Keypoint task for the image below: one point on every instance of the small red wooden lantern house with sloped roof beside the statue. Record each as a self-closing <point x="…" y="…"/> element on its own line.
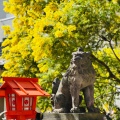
<point x="21" y="95"/>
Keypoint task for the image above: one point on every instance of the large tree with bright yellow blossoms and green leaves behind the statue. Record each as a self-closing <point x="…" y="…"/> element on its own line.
<point x="46" y="32"/>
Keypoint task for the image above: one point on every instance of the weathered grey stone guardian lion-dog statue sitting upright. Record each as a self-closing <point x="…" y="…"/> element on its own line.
<point x="80" y="76"/>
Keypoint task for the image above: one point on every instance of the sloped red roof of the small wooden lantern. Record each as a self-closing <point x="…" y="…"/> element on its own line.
<point x="23" y="86"/>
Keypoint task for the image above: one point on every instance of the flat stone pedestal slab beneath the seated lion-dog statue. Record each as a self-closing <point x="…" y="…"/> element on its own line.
<point x="73" y="116"/>
